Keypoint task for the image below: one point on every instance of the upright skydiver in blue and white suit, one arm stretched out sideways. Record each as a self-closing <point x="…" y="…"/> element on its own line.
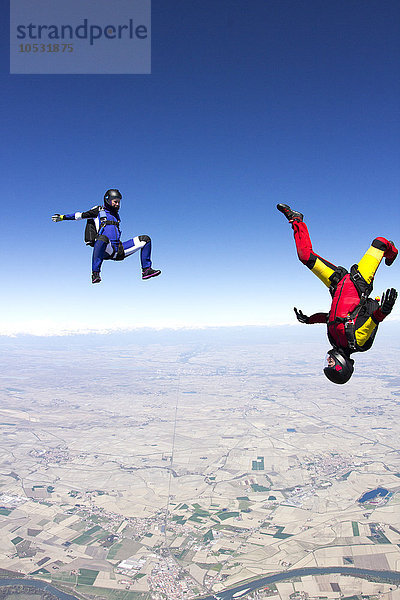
<point x="103" y="233"/>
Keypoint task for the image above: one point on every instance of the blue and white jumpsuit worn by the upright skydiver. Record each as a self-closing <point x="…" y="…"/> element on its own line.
<point x="108" y="245"/>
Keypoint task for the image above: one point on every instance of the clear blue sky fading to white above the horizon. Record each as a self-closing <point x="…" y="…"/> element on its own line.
<point x="250" y="103"/>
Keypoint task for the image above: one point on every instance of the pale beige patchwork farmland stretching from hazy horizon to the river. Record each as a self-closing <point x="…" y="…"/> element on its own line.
<point x="195" y="468"/>
